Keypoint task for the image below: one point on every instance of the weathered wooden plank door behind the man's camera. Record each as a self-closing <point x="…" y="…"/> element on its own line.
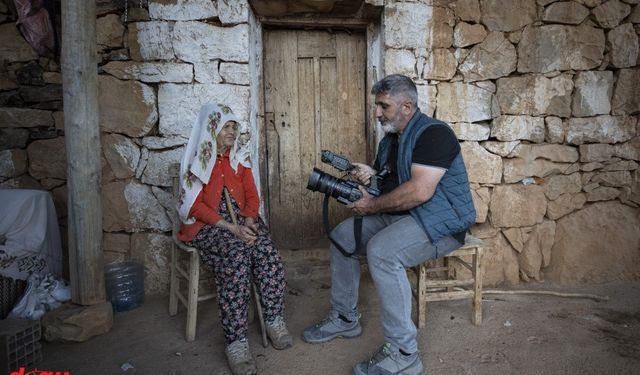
<point x="314" y="100"/>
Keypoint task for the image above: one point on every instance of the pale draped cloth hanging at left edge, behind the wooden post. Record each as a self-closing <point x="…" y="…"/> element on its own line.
<point x="31" y="236"/>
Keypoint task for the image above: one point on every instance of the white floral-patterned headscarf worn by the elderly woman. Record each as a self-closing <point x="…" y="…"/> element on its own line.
<point x="199" y="157"/>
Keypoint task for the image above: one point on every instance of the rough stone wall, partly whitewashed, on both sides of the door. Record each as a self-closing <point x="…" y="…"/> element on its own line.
<point x="544" y="95"/>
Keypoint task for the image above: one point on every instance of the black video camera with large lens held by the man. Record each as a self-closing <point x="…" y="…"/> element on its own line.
<point x="345" y="191"/>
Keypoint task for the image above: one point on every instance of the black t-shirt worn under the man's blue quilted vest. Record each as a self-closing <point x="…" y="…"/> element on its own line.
<point x="437" y="146"/>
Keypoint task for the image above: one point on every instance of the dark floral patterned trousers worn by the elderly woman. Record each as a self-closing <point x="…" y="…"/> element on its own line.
<point x="234" y="263"/>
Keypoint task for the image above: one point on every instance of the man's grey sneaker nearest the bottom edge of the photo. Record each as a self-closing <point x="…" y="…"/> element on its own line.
<point x="389" y="361"/>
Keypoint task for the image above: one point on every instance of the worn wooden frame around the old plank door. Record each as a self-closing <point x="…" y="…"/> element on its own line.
<point x="374" y="71"/>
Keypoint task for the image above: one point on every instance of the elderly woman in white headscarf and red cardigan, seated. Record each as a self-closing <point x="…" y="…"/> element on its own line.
<point x="219" y="210"/>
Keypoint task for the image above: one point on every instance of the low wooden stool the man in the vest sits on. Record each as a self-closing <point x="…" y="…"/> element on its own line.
<point x="428" y="290"/>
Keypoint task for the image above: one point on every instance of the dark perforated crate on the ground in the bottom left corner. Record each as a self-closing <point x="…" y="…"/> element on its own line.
<point x="19" y="344"/>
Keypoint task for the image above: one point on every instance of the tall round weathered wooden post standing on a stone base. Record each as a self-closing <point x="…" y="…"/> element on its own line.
<point x="82" y="141"/>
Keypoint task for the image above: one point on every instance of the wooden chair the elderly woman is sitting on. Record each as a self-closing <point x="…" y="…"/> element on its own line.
<point x="189" y="271"/>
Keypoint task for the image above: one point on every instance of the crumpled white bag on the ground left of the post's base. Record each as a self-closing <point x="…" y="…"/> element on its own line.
<point x="43" y="293"/>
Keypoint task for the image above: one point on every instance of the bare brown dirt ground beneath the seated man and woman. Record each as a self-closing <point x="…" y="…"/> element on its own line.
<point x="520" y="334"/>
